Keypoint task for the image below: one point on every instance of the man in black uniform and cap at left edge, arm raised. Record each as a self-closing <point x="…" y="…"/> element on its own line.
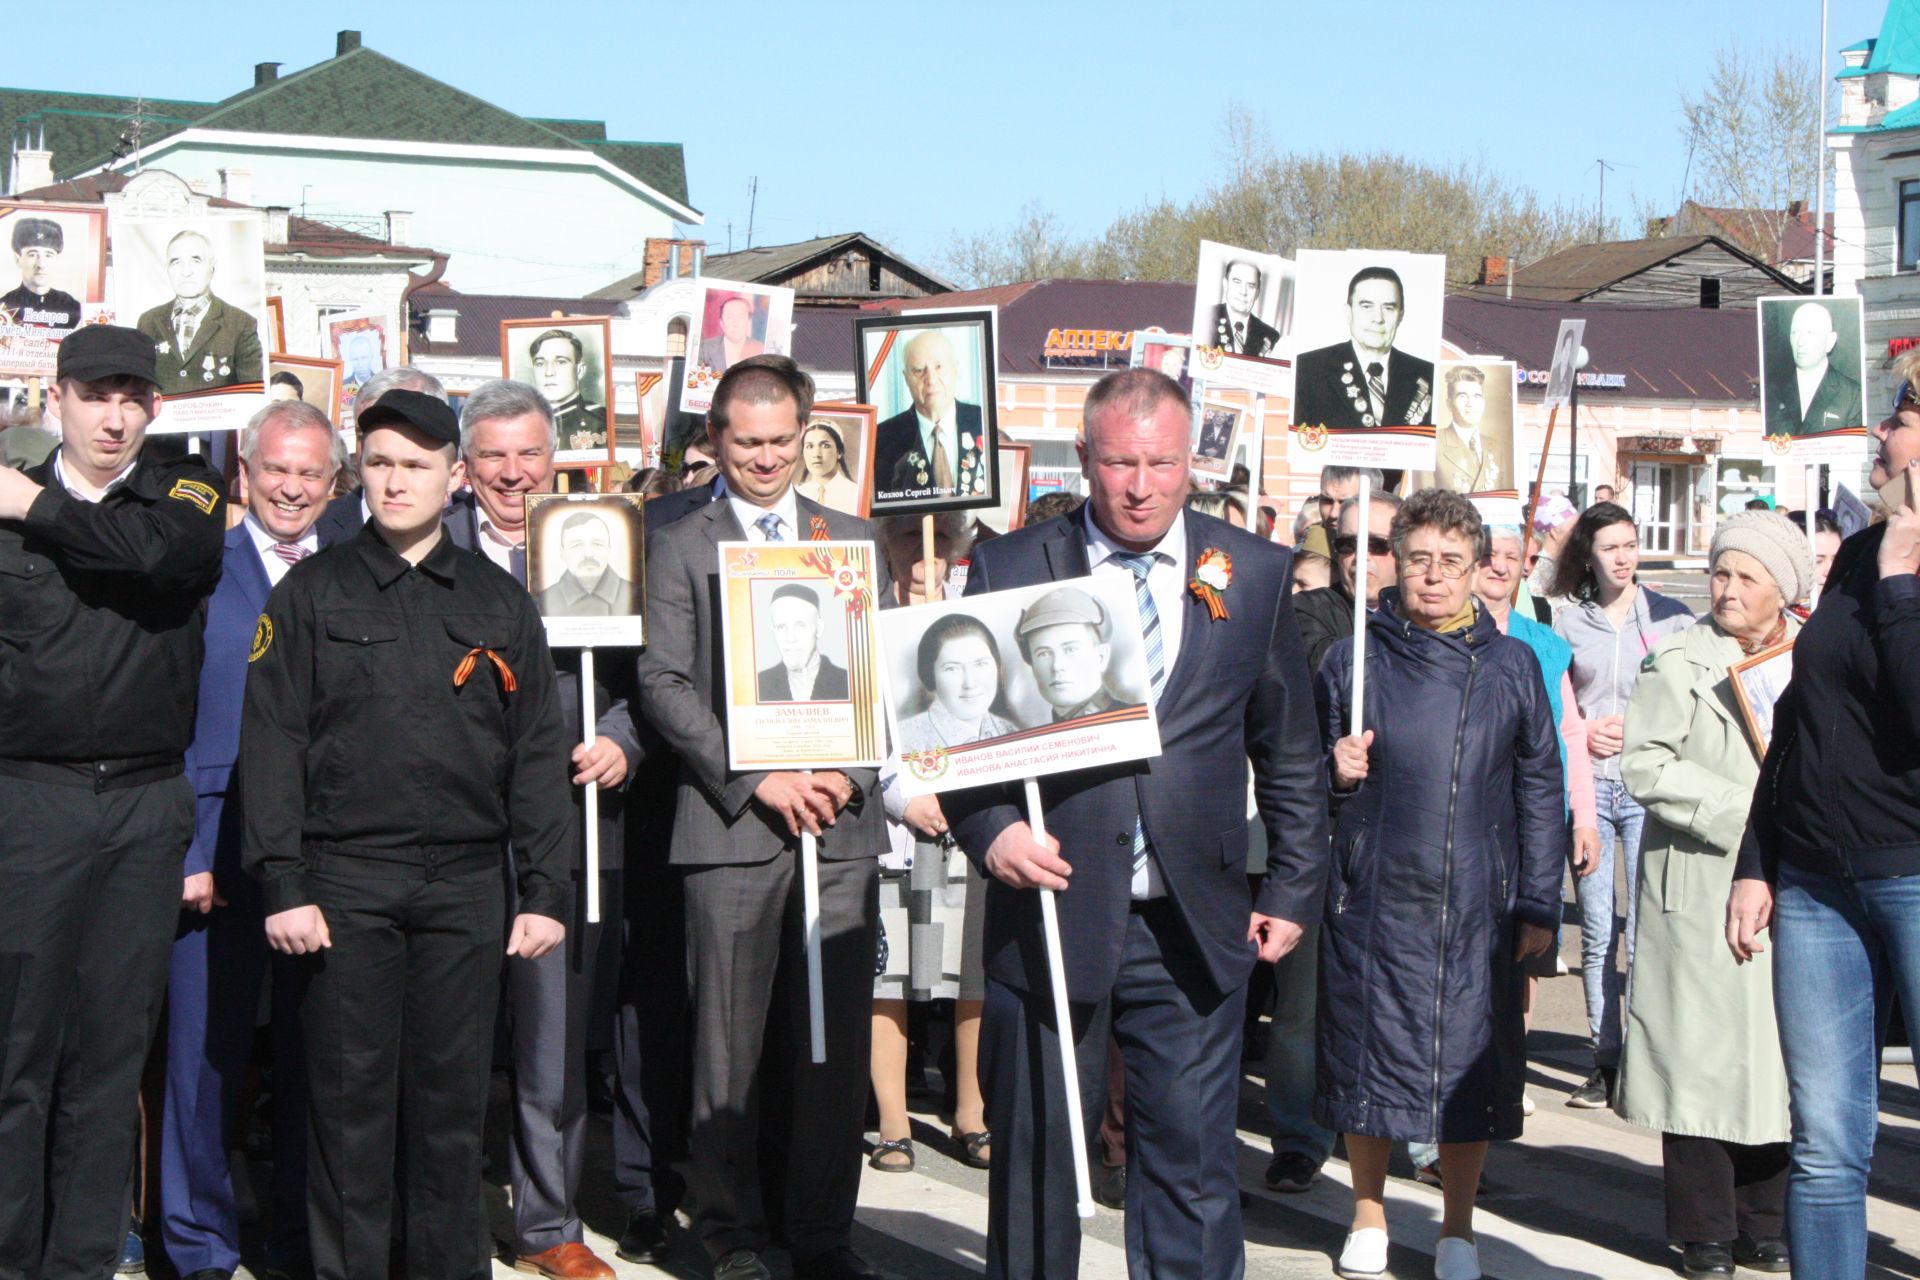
<point x="107" y="563"/>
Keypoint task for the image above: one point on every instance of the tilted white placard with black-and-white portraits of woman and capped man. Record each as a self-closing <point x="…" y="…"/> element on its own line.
<point x="1019" y="684"/>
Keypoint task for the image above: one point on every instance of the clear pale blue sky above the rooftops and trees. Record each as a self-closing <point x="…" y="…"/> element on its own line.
<point x="924" y="118"/>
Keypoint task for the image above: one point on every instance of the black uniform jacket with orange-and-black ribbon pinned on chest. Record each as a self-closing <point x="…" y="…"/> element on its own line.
<point x="368" y="732"/>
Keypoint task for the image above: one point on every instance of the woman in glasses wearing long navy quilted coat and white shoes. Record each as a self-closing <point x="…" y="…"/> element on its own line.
<point x="1451" y="845"/>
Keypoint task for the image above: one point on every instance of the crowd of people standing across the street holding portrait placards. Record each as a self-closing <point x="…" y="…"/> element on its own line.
<point x="304" y="736"/>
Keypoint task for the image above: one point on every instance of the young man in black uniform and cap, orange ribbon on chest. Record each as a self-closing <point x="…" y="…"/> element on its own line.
<point x="400" y="730"/>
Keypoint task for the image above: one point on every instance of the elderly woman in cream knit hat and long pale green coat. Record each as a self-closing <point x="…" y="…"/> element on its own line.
<point x="1702" y="1056"/>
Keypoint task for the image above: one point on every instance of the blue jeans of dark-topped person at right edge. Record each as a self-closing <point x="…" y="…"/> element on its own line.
<point x="1842" y="949"/>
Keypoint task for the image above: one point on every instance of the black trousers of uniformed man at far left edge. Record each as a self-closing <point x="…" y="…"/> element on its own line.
<point x="89" y="897"/>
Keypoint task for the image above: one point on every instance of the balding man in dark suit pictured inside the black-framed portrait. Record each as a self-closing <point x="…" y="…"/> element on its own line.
<point x="932" y="450"/>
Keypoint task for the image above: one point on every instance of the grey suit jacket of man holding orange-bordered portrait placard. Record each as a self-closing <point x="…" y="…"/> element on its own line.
<point x="683" y="696"/>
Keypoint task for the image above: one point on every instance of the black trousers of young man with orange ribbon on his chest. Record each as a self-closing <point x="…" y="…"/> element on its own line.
<point x="400" y="1024"/>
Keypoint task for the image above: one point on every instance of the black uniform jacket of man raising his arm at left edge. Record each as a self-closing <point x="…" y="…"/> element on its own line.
<point x="101" y="623"/>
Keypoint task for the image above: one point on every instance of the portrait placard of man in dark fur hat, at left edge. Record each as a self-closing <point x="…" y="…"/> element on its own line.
<point x="55" y="281"/>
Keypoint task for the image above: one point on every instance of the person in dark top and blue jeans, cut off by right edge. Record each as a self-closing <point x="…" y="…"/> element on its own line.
<point x="1831" y="861"/>
